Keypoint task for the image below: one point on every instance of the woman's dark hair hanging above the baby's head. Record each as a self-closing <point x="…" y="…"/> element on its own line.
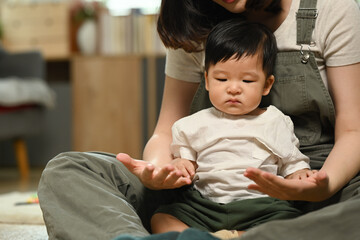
<point x="186" y="23"/>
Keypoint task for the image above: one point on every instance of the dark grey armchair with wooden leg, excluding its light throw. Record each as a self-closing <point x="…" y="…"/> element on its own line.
<point x="25" y="119"/>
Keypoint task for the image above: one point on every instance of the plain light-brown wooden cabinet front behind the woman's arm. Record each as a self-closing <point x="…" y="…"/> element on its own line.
<point x="108" y="104"/>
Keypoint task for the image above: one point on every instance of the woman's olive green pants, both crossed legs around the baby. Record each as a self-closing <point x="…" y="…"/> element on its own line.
<point x="93" y="196"/>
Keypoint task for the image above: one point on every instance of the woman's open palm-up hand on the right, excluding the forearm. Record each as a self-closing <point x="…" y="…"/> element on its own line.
<point x="314" y="188"/>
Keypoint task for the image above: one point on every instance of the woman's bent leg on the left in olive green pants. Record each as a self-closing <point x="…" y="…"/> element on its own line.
<point x="90" y="196"/>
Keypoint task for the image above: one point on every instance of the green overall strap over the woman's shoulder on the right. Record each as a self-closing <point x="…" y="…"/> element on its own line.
<point x="305" y="18"/>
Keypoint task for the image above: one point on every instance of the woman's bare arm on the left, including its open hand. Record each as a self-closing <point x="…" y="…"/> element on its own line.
<point x="156" y="172"/>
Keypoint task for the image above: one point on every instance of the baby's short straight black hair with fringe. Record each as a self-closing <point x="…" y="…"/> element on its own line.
<point x="238" y="38"/>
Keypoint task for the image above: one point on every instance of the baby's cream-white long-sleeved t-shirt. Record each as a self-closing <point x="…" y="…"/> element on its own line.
<point x="225" y="145"/>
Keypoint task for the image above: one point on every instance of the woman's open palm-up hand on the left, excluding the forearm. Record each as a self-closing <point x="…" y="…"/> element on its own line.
<point x="153" y="177"/>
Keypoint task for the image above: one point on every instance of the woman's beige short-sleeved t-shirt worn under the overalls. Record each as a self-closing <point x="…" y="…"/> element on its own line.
<point x="336" y="36"/>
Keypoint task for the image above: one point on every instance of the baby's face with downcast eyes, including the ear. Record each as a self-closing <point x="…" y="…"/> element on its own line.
<point x="237" y="86"/>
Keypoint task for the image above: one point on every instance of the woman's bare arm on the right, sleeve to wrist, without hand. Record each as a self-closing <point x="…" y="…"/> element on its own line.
<point x="343" y="163"/>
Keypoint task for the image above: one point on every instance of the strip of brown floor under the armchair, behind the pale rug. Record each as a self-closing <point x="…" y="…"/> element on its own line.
<point x="10" y="180"/>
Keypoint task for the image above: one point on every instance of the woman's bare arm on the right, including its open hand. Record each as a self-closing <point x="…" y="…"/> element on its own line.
<point x="343" y="162"/>
